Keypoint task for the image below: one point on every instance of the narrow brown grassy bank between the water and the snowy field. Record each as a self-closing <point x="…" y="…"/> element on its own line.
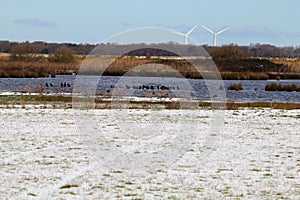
<point x="60" y="101"/>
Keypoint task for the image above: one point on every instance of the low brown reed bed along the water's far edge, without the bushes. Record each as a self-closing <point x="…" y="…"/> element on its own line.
<point x="128" y="65"/>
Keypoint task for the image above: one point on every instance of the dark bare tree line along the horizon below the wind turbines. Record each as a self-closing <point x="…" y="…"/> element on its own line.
<point x="252" y="50"/>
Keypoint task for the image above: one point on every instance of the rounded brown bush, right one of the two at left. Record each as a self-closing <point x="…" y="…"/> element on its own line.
<point x="63" y="55"/>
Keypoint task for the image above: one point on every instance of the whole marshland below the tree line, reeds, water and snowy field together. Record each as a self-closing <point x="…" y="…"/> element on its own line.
<point x="252" y="148"/>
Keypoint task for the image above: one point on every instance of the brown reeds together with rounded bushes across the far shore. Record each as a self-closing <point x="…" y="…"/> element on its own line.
<point x="25" y="60"/>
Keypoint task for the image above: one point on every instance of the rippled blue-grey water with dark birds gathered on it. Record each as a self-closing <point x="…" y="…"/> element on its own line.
<point x="253" y="89"/>
